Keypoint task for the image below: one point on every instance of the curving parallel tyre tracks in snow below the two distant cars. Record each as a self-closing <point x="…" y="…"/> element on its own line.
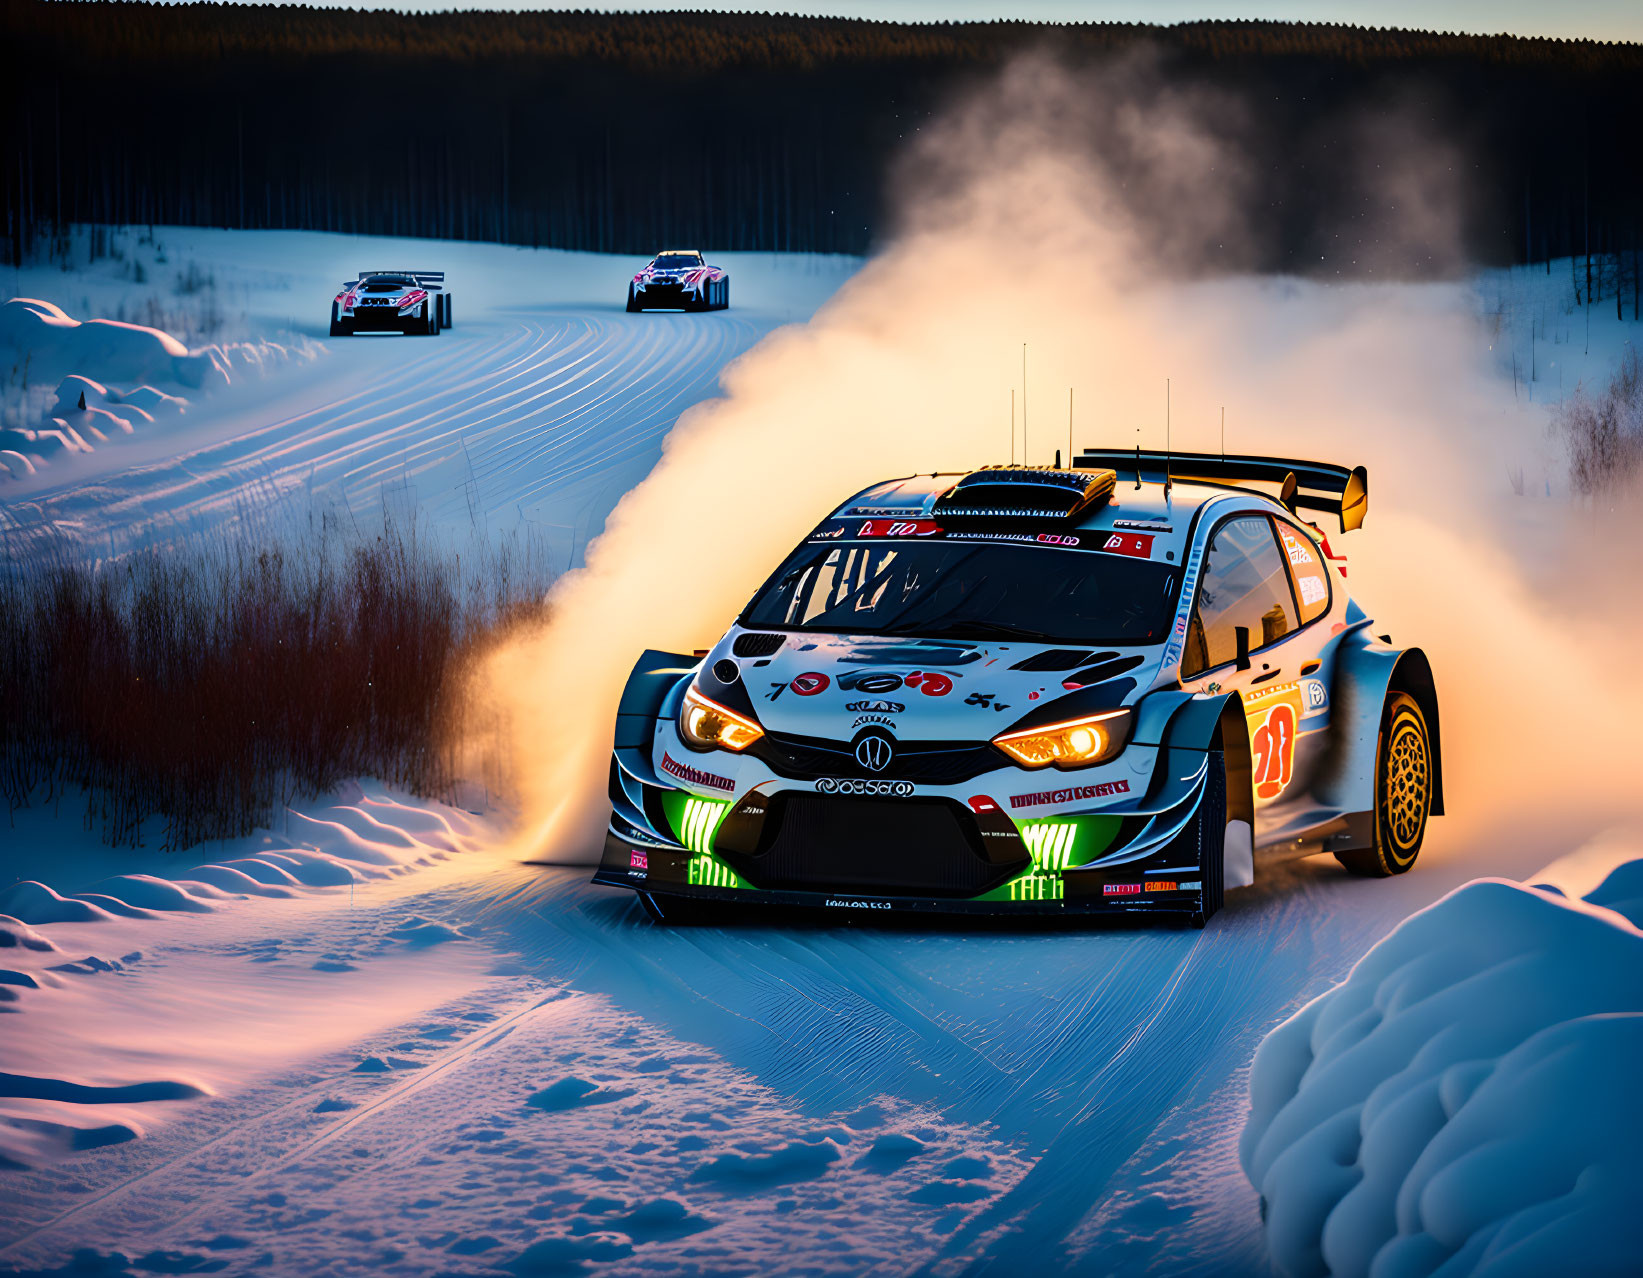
<point x="494" y="423"/>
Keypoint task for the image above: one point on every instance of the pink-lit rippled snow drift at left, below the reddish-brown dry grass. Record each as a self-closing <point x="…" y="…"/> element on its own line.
<point x="119" y="1001"/>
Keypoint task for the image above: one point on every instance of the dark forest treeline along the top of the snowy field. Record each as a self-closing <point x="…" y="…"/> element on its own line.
<point x="620" y="132"/>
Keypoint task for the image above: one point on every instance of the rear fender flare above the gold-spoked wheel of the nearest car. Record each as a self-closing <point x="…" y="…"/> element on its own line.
<point x="1366" y="671"/>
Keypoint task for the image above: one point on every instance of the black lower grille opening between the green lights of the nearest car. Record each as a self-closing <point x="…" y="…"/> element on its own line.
<point x="873" y="845"/>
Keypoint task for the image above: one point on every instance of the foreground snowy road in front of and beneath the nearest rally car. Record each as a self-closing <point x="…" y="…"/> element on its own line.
<point x="564" y="1075"/>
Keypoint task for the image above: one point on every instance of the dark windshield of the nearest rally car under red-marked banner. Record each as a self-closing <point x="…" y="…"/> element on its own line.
<point x="964" y="591"/>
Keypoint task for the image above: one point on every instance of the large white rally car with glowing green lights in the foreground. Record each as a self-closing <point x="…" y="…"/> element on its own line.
<point x="1034" y="691"/>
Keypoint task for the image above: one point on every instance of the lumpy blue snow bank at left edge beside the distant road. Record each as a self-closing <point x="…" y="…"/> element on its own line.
<point x="44" y="346"/>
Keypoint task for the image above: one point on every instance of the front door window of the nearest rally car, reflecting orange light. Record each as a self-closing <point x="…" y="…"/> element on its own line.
<point x="1246" y="584"/>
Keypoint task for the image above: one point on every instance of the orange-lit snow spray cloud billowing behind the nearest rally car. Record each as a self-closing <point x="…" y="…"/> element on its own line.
<point x="1110" y="264"/>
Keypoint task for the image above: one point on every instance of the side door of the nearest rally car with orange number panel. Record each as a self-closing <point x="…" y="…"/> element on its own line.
<point x="1248" y="637"/>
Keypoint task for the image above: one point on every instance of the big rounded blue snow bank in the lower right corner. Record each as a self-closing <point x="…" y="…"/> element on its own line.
<point x="1466" y="1101"/>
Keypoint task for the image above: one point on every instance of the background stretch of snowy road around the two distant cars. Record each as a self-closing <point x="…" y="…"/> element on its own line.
<point x="536" y="411"/>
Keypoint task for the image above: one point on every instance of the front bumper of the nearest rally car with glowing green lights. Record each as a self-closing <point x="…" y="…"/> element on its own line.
<point x="937" y="855"/>
